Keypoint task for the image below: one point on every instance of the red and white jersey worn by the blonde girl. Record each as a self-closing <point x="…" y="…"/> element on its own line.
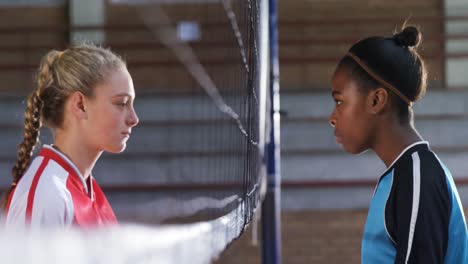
<point x="52" y="193"/>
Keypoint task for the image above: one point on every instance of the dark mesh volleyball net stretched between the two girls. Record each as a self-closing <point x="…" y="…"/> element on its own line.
<point x="201" y="136"/>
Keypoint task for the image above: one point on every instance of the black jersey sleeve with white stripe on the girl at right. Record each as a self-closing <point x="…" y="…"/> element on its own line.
<point x="417" y="213"/>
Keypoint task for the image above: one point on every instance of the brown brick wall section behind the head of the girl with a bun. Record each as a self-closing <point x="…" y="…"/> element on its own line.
<point x="299" y="71"/>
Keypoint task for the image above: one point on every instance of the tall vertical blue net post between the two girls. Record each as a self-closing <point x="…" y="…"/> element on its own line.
<point x="271" y="208"/>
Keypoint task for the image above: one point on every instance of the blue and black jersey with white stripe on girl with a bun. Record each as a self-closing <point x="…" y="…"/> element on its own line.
<point x="415" y="215"/>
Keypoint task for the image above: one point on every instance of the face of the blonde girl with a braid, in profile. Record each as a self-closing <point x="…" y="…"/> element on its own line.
<point x="110" y="113"/>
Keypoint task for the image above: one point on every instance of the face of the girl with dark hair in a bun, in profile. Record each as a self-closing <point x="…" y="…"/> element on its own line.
<point x="351" y="117"/>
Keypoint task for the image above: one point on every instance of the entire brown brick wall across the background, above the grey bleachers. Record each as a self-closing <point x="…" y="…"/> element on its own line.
<point x="306" y="62"/>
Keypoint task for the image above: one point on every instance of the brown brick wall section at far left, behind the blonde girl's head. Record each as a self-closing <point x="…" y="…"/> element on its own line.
<point x="19" y="80"/>
